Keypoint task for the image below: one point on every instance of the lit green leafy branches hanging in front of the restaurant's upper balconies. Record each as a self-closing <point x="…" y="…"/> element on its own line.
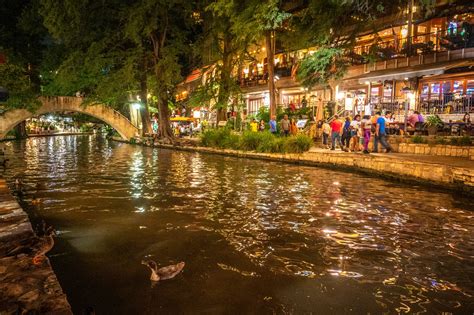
<point x="320" y="25"/>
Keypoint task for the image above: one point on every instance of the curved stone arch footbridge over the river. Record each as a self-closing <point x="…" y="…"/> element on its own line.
<point x="108" y="115"/>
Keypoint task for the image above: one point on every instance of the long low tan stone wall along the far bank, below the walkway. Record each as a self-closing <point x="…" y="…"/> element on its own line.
<point x="446" y="173"/>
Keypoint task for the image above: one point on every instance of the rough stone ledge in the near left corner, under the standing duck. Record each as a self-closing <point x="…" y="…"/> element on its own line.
<point x="25" y="288"/>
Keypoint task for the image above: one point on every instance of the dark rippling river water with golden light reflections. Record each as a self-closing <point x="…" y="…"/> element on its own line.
<point x="257" y="237"/>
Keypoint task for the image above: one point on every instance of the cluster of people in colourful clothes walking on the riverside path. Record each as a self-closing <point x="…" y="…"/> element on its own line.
<point x="354" y="135"/>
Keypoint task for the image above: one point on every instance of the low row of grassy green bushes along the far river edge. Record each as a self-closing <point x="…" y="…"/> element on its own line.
<point x="255" y="141"/>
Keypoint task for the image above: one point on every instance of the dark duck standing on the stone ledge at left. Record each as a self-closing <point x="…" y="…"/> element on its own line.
<point x="37" y="246"/>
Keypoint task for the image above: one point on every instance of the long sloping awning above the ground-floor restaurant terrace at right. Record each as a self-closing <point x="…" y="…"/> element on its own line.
<point x="412" y="72"/>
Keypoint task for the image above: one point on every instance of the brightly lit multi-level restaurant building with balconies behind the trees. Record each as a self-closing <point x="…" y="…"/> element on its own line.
<point x="421" y="63"/>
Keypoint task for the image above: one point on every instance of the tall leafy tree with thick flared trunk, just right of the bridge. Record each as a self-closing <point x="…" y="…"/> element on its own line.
<point x="162" y="29"/>
